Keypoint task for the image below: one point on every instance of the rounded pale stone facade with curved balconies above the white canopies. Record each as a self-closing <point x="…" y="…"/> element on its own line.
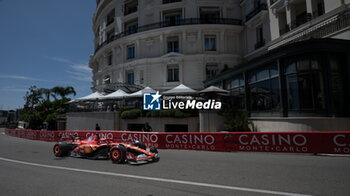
<point x="164" y="43"/>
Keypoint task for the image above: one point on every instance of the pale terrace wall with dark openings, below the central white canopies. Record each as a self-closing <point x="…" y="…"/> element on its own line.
<point x="158" y="124"/>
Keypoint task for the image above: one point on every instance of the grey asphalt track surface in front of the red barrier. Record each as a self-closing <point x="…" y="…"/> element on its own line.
<point x="28" y="167"/>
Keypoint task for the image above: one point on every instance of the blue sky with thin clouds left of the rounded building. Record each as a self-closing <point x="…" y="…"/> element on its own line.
<point x="45" y="43"/>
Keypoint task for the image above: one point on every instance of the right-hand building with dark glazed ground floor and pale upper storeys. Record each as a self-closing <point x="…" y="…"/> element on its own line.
<point x="296" y="77"/>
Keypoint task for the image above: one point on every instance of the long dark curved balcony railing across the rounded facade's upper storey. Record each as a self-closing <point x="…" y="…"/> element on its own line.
<point x="186" y="21"/>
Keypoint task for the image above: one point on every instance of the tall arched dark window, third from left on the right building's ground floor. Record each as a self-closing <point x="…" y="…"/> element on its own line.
<point x="305" y="85"/>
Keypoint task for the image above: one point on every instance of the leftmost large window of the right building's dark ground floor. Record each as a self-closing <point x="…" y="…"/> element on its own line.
<point x="236" y="86"/>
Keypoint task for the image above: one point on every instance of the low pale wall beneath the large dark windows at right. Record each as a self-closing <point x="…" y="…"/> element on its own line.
<point x="301" y="124"/>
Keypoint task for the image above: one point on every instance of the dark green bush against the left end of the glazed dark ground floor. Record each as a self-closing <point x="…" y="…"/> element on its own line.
<point x="236" y="120"/>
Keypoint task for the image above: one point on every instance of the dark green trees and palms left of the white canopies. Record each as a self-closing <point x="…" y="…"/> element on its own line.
<point x="39" y="108"/>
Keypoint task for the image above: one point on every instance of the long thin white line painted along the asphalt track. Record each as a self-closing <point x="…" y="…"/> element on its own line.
<point x="156" y="179"/>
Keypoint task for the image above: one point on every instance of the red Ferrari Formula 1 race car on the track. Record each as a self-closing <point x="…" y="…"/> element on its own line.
<point x="95" y="147"/>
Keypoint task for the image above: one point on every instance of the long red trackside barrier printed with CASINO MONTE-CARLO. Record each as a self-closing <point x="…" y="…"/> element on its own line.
<point x="286" y="142"/>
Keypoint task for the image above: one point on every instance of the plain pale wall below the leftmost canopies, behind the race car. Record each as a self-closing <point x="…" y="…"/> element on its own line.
<point x="88" y="120"/>
